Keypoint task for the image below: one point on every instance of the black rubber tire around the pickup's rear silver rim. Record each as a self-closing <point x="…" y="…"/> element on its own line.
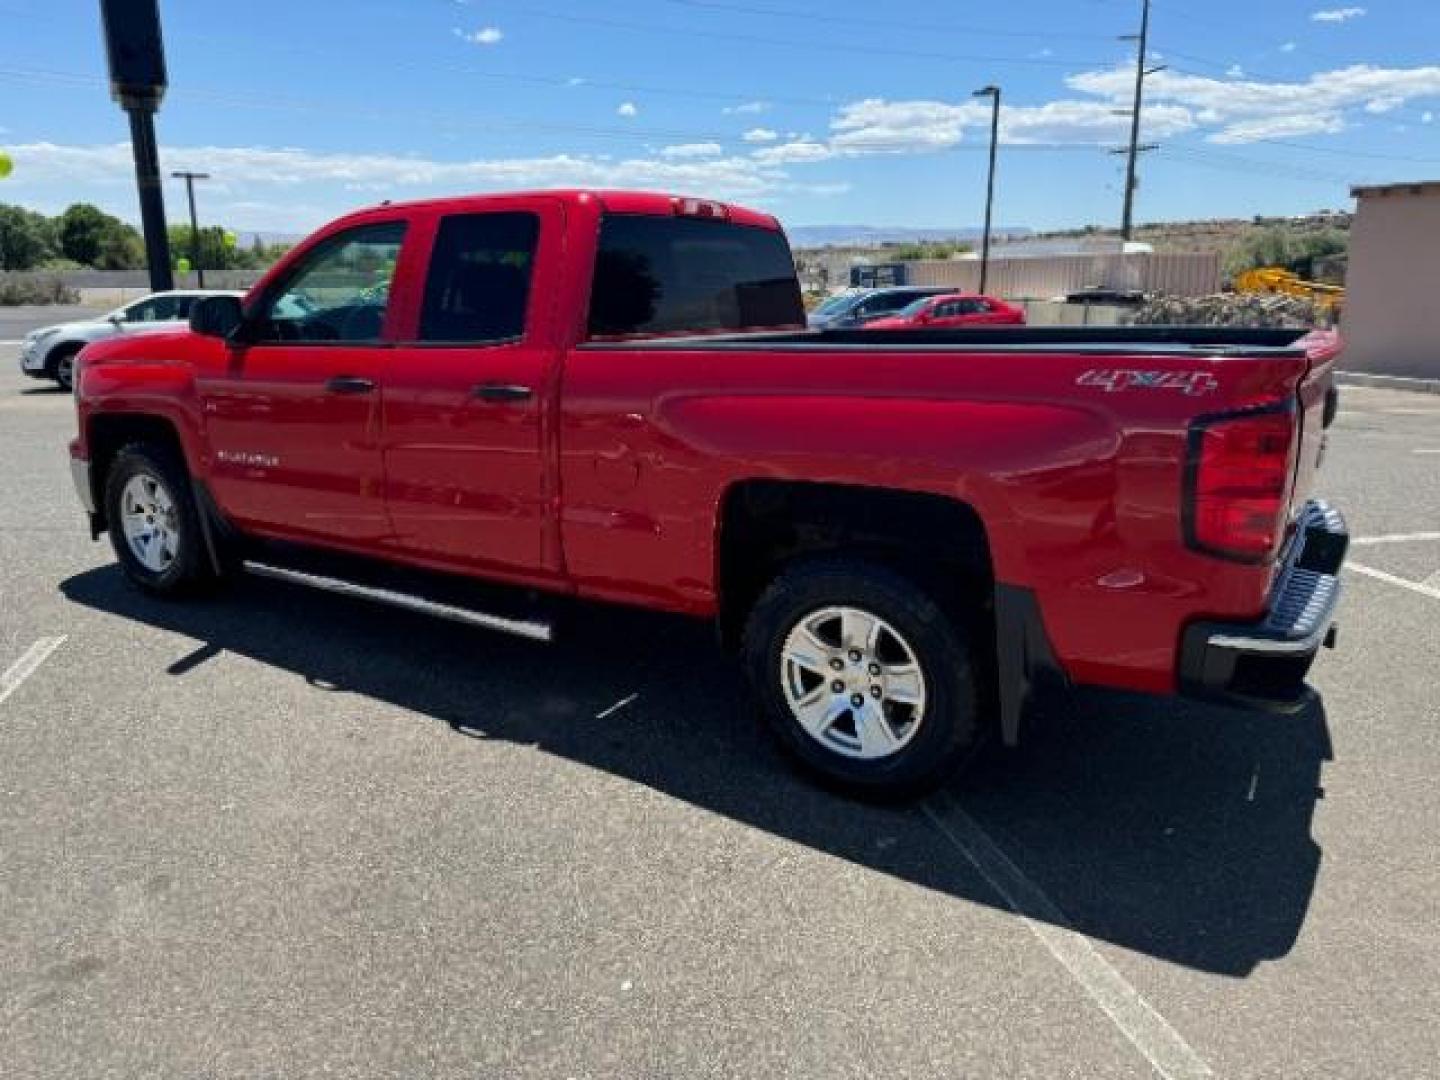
<point x="950" y="729"/>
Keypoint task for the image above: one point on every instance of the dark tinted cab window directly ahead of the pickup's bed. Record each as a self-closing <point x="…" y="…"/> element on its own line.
<point x="685" y="276"/>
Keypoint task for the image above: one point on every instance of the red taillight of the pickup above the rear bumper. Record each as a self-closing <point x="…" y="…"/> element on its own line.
<point x="1241" y="483"/>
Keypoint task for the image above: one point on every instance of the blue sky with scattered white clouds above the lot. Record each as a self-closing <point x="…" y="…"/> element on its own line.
<point x="827" y="114"/>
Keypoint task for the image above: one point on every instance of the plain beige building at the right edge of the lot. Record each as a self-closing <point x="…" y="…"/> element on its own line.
<point x="1392" y="322"/>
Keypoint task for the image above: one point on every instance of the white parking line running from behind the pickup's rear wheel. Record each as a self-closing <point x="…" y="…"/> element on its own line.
<point x="1137" y="1019"/>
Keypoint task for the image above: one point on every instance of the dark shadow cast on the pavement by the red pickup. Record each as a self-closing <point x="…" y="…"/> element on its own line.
<point x="1174" y="830"/>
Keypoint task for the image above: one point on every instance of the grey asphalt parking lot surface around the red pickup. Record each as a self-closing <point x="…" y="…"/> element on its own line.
<point x="286" y="834"/>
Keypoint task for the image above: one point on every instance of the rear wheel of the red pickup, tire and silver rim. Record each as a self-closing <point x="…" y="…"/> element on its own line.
<point x="863" y="679"/>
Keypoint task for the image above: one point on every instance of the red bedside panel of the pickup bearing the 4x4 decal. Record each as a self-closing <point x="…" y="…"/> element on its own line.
<point x="1079" y="487"/>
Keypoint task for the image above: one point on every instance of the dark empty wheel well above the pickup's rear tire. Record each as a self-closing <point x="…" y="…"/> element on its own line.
<point x="937" y="541"/>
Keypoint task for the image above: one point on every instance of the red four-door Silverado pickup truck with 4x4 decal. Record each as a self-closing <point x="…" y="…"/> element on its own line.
<point x="911" y="536"/>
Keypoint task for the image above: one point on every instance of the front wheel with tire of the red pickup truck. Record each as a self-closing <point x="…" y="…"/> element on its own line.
<point x="153" y="522"/>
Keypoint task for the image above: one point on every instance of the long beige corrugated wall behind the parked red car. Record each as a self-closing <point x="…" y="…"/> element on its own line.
<point x="1056" y="276"/>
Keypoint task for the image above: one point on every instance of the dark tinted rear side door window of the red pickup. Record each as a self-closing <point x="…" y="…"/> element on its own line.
<point x="479" y="284"/>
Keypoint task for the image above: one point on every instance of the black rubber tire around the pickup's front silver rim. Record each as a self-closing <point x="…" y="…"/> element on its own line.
<point x="189" y="570"/>
